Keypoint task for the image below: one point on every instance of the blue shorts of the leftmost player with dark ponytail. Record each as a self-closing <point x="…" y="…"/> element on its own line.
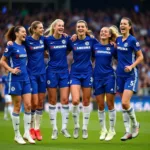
<point x="19" y="87"/>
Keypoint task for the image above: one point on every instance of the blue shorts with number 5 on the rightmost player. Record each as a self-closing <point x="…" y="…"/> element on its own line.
<point x="128" y="83"/>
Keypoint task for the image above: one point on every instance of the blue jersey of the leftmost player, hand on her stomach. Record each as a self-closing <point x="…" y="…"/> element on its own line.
<point x="17" y="57"/>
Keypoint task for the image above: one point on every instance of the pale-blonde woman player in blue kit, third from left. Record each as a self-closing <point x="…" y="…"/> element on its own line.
<point x="57" y="75"/>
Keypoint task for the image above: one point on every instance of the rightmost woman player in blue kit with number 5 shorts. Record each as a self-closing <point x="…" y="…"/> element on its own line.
<point x="129" y="56"/>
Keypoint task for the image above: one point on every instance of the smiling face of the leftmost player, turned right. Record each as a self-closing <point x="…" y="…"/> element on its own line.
<point x="21" y="34"/>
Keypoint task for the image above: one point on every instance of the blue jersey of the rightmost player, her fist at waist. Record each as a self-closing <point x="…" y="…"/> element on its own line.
<point x="126" y="55"/>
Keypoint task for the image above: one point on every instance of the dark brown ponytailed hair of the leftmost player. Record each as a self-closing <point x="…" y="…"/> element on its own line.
<point x="10" y="35"/>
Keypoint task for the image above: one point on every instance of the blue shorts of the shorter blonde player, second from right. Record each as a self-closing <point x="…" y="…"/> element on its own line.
<point x="107" y="85"/>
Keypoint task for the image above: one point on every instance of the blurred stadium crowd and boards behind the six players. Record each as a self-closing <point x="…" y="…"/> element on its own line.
<point x="96" y="13"/>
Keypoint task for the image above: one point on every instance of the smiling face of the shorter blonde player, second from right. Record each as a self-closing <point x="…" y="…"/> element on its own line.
<point x="105" y="33"/>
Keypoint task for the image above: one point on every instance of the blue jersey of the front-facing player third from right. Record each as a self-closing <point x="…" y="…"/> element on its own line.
<point x="82" y="53"/>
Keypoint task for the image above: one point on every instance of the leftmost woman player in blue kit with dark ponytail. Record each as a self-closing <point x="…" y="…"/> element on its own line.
<point x="14" y="60"/>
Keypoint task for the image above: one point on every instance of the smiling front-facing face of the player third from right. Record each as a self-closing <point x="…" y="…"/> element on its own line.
<point x="81" y="29"/>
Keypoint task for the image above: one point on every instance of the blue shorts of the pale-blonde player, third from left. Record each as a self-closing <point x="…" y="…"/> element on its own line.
<point x="55" y="80"/>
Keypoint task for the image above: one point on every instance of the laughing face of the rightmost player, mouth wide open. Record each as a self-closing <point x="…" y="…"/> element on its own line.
<point x="124" y="26"/>
